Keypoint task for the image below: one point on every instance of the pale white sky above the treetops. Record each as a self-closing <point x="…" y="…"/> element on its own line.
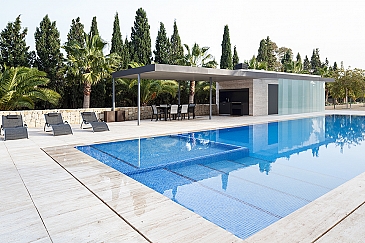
<point x="336" y="27"/>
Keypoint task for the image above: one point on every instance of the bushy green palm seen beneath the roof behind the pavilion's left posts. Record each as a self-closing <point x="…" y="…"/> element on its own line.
<point x="150" y="88"/>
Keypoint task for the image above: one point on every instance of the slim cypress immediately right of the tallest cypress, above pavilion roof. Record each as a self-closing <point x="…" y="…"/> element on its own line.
<point x="162" y="46"/>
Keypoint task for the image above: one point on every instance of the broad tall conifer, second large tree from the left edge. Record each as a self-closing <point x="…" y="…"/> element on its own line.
<point x="49" y="56"/>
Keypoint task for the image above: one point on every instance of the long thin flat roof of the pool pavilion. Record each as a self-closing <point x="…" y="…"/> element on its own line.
<point x="175" y="72"/>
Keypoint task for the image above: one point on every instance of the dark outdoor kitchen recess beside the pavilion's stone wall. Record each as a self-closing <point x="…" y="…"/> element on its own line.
<point x="233" y="102"/>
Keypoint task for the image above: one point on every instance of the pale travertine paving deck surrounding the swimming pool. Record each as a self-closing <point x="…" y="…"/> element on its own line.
<point x="78" y="199"/>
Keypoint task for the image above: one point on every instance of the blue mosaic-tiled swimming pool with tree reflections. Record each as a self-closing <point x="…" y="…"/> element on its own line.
<point x="244" y="178"/>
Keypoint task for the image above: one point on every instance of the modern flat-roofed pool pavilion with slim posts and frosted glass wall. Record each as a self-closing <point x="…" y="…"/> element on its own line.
<point x="242" y="91"/>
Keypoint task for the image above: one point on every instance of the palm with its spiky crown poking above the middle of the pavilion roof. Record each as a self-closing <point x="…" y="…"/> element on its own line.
<point x="197" y="57"/>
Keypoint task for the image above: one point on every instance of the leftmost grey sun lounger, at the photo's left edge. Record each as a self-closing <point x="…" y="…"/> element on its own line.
<point x="13" y="127"/>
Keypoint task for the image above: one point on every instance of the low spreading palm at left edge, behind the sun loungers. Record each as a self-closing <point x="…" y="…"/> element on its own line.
<point x="20" y="87"/>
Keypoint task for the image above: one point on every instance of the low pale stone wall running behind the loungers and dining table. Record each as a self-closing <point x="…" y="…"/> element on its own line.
<point x="35" y="118"/>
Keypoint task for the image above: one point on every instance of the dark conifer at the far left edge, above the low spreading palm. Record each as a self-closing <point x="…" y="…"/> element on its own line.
<point x="13" y="48"/>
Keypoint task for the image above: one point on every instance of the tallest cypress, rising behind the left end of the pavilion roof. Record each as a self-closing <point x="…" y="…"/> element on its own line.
<point x="140" y="39"/>
